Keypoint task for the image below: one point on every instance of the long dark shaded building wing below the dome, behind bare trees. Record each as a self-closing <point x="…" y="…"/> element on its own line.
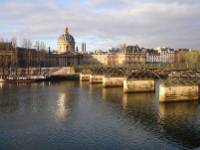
<point x="35" y="58"/>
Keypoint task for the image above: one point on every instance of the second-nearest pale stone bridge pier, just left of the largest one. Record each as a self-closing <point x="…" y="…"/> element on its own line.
<point x="138" y="85"/>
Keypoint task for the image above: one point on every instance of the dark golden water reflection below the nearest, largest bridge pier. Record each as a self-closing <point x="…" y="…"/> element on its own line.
<point x="179" y="121"/>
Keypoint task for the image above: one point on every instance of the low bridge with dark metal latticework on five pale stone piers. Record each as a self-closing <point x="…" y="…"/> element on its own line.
<point x="144" y="80"/>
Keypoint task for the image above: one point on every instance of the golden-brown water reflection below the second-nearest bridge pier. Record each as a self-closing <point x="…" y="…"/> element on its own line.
<point x="141" y="109"/>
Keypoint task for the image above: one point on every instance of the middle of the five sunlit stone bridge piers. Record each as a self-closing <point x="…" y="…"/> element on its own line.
<point x="113" y="81"/>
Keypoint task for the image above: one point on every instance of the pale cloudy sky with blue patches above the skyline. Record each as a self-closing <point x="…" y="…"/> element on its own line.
<point x="103" y="24"/>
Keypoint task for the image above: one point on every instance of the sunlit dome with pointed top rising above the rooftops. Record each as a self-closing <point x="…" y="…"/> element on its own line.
<point x="66" y="43"/>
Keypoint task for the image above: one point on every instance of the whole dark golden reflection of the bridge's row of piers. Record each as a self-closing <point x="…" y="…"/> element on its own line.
<point x="176" y="121"/>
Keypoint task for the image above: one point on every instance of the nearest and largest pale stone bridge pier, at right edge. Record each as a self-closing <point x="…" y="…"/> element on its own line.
<point x="174" y="93"/>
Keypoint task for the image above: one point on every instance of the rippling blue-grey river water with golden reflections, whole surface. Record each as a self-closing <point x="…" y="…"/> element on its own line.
<point x="79" y="116"/>
